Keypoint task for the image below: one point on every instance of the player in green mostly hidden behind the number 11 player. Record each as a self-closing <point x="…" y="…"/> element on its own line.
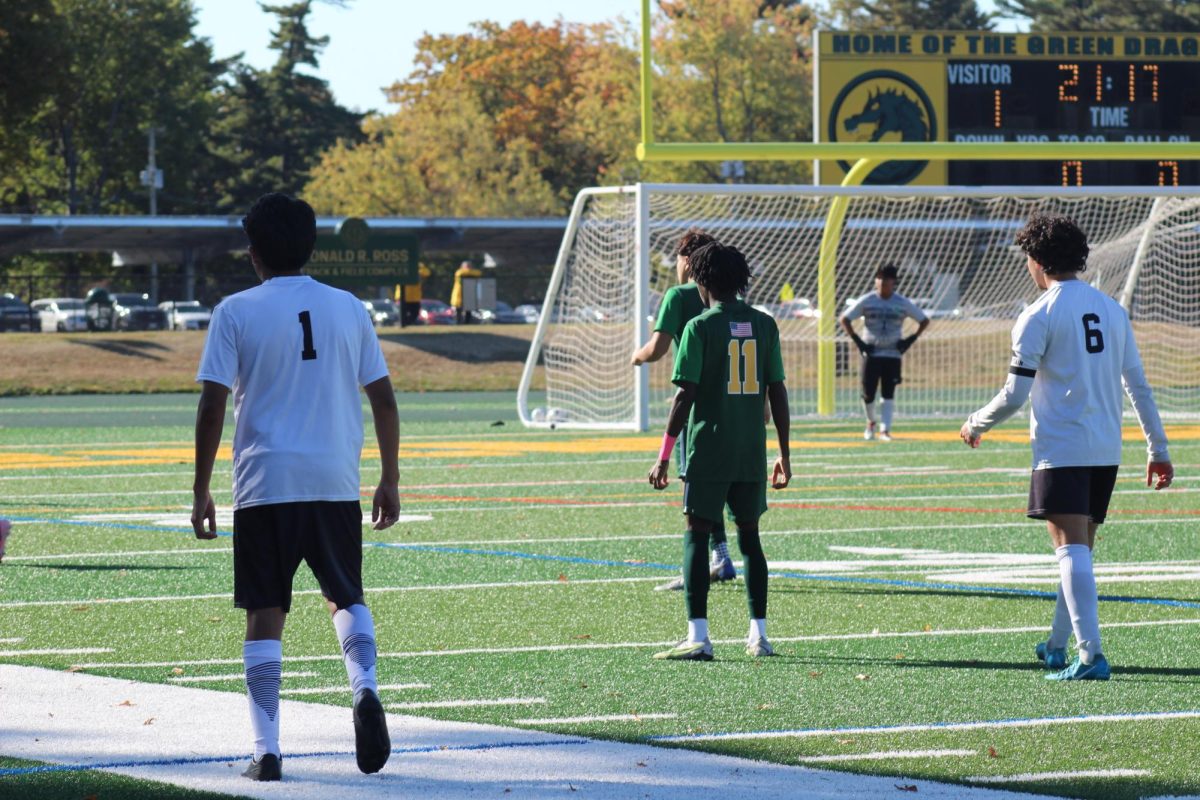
<point x="680" y="305"/>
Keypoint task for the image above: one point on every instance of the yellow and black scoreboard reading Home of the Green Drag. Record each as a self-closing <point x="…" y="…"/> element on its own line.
<point x="1010" y="88"/>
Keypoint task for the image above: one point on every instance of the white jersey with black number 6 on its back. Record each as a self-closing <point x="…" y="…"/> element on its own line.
<point x="1078" y="346"/>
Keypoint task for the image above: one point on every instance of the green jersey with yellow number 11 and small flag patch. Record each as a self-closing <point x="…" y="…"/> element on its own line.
<point x="731" y="353"/>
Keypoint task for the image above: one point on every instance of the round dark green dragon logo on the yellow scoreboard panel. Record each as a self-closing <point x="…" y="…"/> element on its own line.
<point x="884" y="106"/>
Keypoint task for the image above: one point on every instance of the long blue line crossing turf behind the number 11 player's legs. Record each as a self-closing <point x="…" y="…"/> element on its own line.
<point x="675" y="568"/>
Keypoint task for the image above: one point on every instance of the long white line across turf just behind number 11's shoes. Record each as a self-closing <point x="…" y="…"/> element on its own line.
<point x="623" y="646"/>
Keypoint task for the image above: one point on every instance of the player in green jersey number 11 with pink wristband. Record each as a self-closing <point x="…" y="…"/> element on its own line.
<point x="729" y="360"/>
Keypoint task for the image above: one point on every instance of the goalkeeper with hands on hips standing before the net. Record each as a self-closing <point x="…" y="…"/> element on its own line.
<point x="883" y="346"/>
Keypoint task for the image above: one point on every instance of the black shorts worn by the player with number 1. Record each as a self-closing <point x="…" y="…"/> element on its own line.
<point x="269" y="543"/>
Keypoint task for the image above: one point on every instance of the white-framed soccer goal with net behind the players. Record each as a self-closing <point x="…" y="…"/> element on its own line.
<point x="955" y="251"/>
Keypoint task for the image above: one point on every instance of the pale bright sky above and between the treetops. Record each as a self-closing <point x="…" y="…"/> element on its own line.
<point x="373" y="41"/>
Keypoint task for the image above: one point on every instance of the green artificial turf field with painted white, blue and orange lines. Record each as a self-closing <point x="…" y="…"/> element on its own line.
<point x="908" y="594"/>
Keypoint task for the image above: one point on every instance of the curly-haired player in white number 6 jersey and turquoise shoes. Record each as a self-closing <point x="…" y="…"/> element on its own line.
<point x="1073" y="350"/>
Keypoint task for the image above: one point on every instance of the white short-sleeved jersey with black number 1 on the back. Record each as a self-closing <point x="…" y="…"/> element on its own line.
<point x="295" y="352"/>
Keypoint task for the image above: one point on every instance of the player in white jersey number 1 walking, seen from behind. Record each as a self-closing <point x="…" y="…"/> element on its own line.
<point x="295" y="352"/>
